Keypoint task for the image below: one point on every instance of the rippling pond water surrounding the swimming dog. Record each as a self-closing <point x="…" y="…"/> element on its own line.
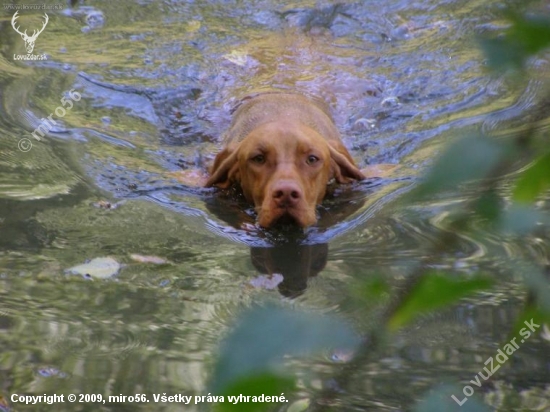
<point x="157" y="82"/>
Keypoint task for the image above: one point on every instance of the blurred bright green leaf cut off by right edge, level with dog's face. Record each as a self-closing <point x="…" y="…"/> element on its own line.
<point x="533" y="181"/>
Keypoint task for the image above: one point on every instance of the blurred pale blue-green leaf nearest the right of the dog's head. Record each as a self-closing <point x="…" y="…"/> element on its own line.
<point x="469" y="158"/>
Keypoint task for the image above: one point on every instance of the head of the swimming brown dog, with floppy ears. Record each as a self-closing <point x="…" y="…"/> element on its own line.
<point x="283" y="169"/>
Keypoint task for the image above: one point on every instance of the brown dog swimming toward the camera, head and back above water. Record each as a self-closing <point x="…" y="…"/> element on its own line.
<point x="283" y="149"/>
